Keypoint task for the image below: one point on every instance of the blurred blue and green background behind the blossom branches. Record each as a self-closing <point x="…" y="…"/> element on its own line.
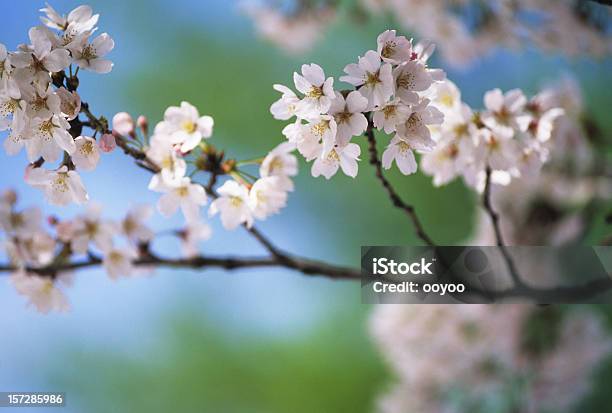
<point x="258" y="340"/>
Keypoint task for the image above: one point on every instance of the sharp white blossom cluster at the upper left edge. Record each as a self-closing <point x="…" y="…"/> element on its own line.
<point x="39" y="102"/>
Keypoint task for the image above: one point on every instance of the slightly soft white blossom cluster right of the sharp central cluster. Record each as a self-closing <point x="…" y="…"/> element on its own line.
<point x="511" y="136"/>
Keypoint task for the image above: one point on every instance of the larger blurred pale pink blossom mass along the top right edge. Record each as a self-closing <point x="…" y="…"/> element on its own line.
<point x="465" y="35"/>
